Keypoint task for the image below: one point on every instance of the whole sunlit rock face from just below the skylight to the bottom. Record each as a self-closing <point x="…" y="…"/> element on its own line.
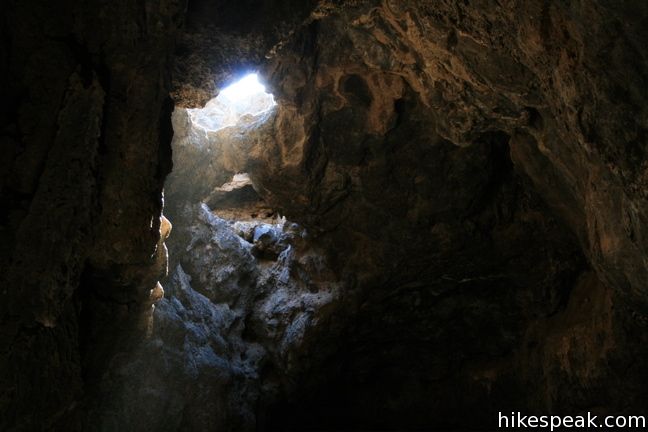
<point x="246" y="293"/>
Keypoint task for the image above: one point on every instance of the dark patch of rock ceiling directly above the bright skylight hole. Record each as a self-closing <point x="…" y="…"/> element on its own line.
<point x="223" y="39"/>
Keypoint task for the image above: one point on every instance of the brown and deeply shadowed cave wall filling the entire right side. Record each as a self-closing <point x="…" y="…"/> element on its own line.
<point x="476" y="172"/>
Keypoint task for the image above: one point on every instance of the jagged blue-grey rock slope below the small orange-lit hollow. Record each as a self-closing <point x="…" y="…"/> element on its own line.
<point x="230" y="316"/>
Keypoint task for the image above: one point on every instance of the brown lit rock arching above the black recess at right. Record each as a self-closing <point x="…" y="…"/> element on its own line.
<point x="472" y="72"/>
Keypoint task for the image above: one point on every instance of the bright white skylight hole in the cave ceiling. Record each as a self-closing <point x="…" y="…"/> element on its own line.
<point x="246" y="97"/>
